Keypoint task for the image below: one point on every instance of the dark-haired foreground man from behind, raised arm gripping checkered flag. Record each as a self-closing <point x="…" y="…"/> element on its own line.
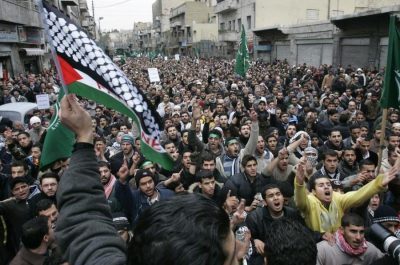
<point x="81" y="191"/>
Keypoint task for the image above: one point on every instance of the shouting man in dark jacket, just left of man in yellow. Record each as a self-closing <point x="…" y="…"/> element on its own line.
<point x="259" y="220"/>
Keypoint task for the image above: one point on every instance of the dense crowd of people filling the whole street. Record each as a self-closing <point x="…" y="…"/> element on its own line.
<point x="282" y="166"/>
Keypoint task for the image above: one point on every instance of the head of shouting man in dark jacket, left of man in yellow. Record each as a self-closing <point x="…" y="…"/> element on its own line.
<point x="274" y="199"/>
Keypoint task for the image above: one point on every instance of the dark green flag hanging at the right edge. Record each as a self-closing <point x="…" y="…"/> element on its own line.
<point x="391" y="88"/>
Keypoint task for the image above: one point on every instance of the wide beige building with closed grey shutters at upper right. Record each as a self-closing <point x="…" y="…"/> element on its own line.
<point x="354" y="35"/>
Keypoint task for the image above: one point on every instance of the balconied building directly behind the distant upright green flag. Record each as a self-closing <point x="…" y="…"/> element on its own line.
<point x="231" y="15"/>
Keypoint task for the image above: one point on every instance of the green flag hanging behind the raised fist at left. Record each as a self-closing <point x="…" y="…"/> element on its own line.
<point x="58" y="141"/>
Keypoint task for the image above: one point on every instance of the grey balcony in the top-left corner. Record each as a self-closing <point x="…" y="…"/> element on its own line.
<point x="19" y="12"/>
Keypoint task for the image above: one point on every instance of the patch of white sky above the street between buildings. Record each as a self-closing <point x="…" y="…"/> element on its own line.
<point x="121" y="14"/>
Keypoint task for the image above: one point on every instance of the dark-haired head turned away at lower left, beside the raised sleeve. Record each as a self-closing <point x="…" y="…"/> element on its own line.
<point x="37" y="233"/>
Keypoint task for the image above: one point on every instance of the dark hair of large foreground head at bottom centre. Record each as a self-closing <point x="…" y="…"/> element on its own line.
<point x="186" y="229"/>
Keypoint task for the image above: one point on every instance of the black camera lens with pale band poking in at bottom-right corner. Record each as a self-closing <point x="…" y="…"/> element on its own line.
<point x="387" y="241"/>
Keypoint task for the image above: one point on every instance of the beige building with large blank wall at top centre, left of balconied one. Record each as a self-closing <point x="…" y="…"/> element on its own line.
<point x="188" y="21"/>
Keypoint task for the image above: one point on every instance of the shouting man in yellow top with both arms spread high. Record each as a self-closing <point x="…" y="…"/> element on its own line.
<point x="323" y="208"/>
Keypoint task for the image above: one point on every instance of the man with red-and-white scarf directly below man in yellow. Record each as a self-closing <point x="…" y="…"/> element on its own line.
<point x="350" y="246"/>
